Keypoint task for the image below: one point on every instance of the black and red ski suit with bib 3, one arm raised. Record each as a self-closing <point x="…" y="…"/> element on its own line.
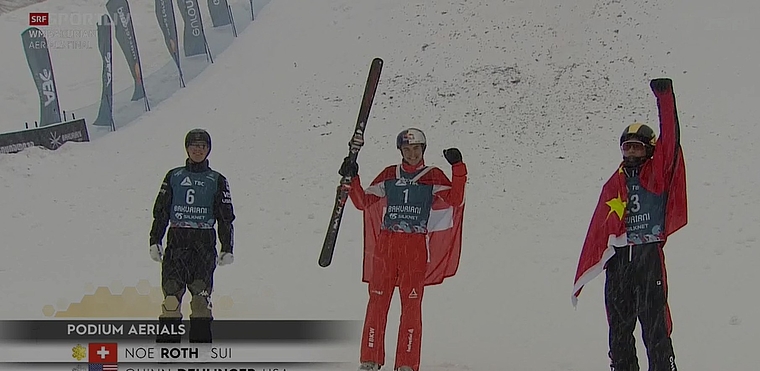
<point x="636" y="285"/>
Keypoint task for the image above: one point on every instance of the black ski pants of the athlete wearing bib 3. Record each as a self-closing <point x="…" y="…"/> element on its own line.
<point x="636" y="289"/>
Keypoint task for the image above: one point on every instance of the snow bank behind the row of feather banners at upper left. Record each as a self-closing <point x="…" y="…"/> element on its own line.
<point x="73" y="43"/>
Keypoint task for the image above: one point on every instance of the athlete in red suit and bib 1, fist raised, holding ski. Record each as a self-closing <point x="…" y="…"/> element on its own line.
<point x="402" y="251"/>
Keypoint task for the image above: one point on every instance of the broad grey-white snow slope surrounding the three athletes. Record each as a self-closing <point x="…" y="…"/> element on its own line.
<point x="534" y="93"/>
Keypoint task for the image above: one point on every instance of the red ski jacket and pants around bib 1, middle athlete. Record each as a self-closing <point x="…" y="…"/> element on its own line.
<point x="401" y="259"/>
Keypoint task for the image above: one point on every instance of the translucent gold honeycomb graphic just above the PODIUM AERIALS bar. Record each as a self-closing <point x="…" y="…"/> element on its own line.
<point x="142" y="300"/>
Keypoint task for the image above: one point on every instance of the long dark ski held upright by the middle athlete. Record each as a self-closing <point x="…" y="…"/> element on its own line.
<point x="328" y="247"/>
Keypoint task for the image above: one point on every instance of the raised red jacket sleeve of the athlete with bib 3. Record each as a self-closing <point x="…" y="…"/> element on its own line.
<point x="666" y="150"/>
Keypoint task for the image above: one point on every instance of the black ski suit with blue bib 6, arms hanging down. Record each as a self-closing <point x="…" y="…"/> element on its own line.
<point x="192" y="199"/>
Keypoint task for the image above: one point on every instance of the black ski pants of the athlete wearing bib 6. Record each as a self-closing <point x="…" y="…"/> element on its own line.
<point x="188" y="265"/>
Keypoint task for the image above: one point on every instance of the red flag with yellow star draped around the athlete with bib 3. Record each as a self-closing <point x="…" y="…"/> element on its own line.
<point x="607" y="227"/>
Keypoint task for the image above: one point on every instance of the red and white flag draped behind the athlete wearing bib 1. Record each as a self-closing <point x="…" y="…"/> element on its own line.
<point x="444" y="239"/>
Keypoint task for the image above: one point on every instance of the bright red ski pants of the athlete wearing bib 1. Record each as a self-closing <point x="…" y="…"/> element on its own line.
<point x="399" y="259"/>
